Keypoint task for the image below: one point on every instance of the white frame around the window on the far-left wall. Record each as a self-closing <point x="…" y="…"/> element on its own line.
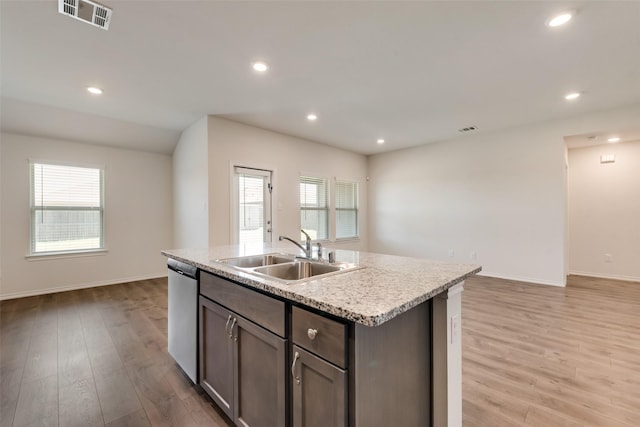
<point x="33" y="209"/>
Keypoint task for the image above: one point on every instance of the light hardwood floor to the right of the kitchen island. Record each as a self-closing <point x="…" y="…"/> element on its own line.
<point x="537" y="355"/>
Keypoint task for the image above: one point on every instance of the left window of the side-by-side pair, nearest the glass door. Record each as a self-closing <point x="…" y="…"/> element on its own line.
<point x="314" y="207"/>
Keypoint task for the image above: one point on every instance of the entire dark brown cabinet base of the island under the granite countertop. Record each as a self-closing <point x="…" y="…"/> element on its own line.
<point x="331" y="372"/>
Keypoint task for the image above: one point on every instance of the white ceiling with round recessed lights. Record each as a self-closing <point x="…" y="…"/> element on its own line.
<point x="408" y="72"/>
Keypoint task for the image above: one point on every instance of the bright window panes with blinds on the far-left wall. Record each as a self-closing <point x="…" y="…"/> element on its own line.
<point x="67" y="208"/>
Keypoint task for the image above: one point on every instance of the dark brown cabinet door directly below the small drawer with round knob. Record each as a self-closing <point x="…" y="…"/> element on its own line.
<point x="319" y="391"/>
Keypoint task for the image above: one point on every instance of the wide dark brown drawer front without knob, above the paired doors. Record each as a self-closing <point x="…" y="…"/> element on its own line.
<point x="265" y="311"/>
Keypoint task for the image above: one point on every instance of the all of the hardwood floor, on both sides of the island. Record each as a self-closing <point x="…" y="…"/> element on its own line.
<point x="532" y="356"/>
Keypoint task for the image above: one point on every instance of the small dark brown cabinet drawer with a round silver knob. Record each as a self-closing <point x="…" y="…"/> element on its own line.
<point x="320" y="335"/>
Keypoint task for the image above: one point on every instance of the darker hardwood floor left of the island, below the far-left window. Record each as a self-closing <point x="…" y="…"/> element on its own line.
<point x="95" y="357"/>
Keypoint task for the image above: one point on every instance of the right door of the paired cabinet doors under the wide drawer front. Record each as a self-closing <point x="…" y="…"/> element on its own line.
<point x="260" y="375"/>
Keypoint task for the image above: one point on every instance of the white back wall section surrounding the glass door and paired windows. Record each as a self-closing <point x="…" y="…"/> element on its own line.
<point x="234" y="143"/>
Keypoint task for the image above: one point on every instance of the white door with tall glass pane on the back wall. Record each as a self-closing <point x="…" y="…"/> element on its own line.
<point x="251" y="219"/>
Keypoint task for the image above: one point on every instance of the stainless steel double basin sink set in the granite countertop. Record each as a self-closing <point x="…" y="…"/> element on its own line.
<point x="285" y="267"/>
